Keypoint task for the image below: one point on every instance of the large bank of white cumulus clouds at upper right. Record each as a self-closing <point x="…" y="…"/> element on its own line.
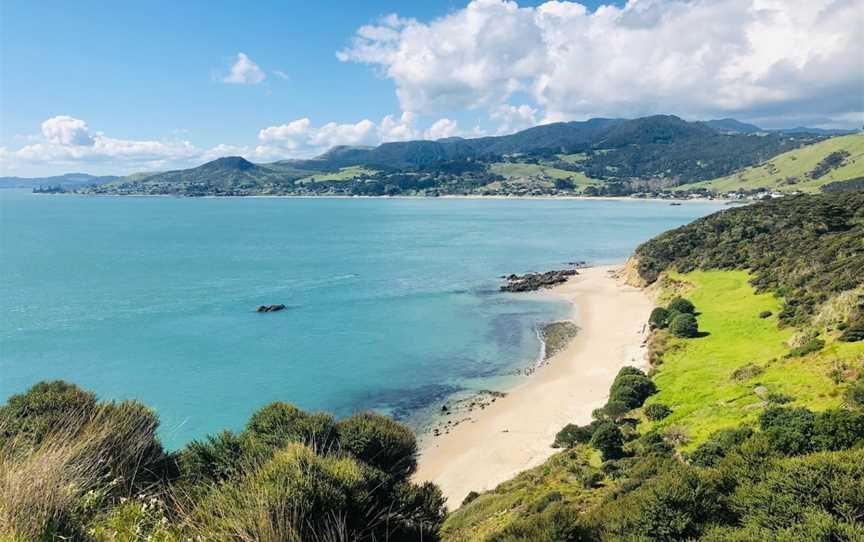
<point x="698" y="58"/>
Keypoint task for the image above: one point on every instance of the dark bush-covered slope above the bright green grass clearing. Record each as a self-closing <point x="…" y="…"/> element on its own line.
<point x="807" y="249"/>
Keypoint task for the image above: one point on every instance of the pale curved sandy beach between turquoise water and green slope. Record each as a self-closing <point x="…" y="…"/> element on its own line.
<point x="515" y="432"/>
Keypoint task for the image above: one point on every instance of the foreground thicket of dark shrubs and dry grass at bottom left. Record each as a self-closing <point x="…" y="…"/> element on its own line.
<point x="75" y="468"/>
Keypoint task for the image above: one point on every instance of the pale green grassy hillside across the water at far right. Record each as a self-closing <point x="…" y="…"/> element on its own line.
<point x="796" y="164"/>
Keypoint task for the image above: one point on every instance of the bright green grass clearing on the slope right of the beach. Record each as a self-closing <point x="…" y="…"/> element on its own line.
<point x="695" y="377"/>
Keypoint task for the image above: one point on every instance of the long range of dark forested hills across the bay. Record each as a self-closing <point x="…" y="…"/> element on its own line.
<point x="595" y="157"/>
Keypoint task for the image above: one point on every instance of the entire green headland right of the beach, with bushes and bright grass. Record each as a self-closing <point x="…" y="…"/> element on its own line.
<point x="752" y="429"/>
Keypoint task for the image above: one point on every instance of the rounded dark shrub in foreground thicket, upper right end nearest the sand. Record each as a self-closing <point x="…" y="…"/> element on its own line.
<point x="380" y="442"/>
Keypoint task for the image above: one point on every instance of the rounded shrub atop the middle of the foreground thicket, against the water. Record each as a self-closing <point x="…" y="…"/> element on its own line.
<point x="280" y="423"/>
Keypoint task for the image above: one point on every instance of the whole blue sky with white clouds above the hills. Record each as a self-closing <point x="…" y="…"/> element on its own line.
<point x="120" y="87"/>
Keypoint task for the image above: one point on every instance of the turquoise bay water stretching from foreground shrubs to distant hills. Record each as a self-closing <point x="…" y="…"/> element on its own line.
<point x="392" y="304"/>
